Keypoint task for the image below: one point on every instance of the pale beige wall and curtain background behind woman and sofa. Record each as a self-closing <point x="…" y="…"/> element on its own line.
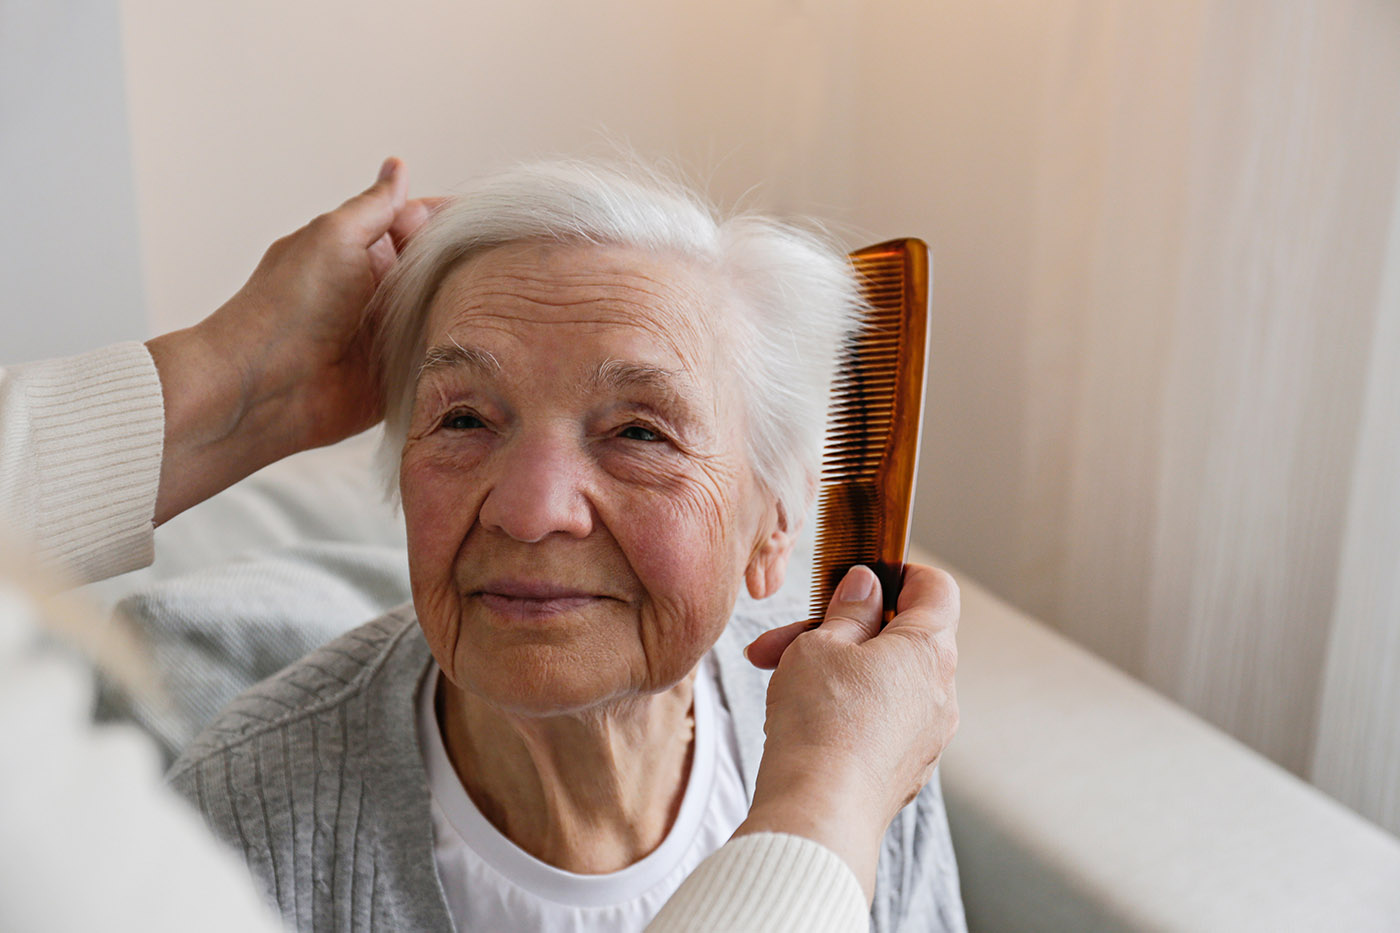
<point x="1165" y="387"/>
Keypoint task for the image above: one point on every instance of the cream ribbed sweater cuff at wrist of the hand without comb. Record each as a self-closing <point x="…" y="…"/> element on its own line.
<point x="99" y="428"/>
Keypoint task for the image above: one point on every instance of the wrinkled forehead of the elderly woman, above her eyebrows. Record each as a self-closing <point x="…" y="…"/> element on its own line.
<point x="590" y="298"/>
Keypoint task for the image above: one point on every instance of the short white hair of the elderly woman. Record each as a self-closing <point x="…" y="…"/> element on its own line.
<point x="796" y="295"/>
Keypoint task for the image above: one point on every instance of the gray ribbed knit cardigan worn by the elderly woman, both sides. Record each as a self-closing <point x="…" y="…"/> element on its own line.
<point x="317" y="778"/>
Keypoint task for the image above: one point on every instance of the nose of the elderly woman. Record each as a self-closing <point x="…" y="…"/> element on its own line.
<point x="538" y="491"/>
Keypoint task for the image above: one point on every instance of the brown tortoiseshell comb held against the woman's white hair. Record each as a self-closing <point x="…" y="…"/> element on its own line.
<point x="874" y="427"/>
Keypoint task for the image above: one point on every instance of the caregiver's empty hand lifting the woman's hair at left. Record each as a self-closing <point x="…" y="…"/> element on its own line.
<point x="286" y="364"/>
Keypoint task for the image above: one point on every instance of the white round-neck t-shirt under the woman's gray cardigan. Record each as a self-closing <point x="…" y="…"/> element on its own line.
<point x="493" y="885"/>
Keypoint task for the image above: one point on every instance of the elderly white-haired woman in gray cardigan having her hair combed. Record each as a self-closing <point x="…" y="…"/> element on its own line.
<point x="604" y="418"/>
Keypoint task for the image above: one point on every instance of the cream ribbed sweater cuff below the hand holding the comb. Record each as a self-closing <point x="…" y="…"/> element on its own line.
<point x="768" y="883"/>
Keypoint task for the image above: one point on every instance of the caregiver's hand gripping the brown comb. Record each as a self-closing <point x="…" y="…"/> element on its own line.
<point x="857" y="717"/>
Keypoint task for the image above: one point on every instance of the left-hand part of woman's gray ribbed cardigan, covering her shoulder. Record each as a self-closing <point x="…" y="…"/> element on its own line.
<point x="316" y="774"/>
